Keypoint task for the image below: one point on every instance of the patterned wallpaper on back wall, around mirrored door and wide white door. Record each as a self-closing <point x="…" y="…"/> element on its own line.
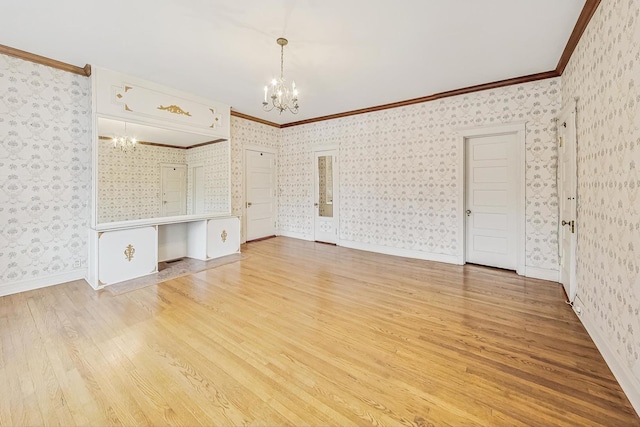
<point x="398" y="170"/>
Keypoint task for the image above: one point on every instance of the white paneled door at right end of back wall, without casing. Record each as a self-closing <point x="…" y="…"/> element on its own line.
<point x="491" y="201"/>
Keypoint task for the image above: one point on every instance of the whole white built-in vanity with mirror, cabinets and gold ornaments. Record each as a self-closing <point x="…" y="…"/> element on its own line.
<point x="166" y="196"/>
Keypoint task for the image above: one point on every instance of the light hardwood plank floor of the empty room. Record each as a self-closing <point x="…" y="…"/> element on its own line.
<point x="300" y="333"/>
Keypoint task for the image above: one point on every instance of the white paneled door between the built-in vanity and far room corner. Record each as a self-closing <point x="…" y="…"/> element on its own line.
<point x="260" y="173"/>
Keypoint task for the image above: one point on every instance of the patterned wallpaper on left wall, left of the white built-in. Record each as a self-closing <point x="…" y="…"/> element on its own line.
<point x="45" y="178"/>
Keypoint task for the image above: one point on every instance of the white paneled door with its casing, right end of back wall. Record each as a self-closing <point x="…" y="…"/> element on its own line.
<point x="507" y="196"/>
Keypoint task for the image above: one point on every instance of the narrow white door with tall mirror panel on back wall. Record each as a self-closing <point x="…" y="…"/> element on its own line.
<point x="326" y="197"/>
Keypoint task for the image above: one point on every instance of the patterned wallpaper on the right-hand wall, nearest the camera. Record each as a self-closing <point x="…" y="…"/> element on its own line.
<point x="604" y="72"/>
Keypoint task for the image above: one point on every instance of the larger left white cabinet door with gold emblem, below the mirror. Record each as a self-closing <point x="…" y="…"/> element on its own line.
<point x="127" y="254"/>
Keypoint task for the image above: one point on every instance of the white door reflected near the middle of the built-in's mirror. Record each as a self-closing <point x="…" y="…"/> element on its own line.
<point x="173" y="189"/>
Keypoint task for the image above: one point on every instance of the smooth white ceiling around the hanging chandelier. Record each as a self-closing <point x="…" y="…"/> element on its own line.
<point x="343" y="54"/>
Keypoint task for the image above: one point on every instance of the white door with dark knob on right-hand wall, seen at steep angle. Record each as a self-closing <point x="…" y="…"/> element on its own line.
<point x="567" y="203"/>
